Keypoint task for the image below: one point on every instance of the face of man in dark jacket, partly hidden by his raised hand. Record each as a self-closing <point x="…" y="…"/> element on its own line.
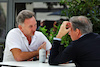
<point x="74" y="34"/>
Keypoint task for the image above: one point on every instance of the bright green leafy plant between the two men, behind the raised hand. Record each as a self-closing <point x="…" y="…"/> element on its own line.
<point x="65" y="40"/>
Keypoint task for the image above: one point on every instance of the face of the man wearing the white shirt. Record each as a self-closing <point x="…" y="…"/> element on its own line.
<point x="29" y="26"/>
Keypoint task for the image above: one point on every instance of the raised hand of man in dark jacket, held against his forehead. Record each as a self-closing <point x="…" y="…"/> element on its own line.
<point x="64" y="29"/>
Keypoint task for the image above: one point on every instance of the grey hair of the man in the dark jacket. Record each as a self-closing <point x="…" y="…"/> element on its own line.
<point x="82" y="23"/>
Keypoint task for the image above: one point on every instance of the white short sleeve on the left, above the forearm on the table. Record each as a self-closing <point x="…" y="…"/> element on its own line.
<point x="13" y="40"/>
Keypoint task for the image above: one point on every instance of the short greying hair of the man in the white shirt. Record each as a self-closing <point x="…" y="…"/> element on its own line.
<point x="24" y="14"/>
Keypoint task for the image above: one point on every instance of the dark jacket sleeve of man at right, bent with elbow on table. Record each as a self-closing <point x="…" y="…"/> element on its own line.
<point x="57" y="57"/>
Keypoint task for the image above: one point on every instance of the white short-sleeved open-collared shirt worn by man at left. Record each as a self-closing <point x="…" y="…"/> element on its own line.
<point x="16" y="39"/>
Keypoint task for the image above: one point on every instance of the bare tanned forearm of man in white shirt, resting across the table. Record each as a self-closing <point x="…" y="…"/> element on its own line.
<point x="21" y="56"/>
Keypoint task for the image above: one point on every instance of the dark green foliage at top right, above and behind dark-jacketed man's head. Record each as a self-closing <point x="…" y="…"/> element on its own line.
<point x="89" y="8"/>
